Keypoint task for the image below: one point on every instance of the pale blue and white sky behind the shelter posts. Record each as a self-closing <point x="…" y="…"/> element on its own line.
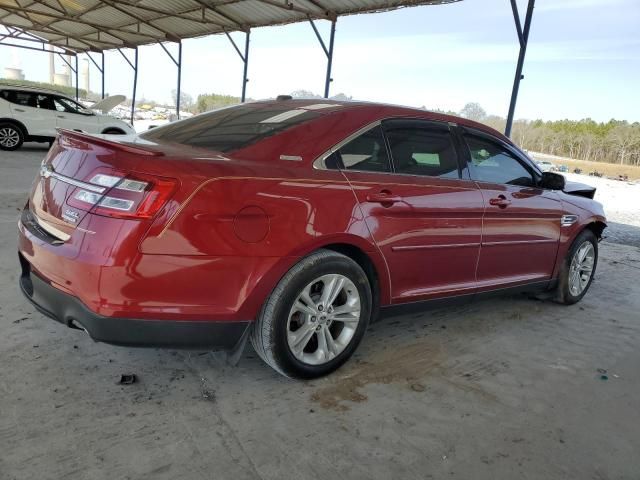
<point x="583" y="60"/>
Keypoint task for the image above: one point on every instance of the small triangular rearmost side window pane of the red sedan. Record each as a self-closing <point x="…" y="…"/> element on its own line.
<point x="366" y="152"/>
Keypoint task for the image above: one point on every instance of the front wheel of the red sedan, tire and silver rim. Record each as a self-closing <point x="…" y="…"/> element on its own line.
<point x="576" y="270"/>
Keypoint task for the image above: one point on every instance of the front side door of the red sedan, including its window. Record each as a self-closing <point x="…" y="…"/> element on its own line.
<point x="521" y="222"/>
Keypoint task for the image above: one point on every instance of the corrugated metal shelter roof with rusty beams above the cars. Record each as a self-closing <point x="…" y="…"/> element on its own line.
<point x="96" y="25"/>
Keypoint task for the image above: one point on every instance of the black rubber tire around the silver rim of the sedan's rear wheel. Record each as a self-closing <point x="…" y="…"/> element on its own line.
<point x="281" y="351"/>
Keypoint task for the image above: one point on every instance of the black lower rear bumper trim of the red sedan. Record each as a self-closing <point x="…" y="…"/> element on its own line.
<point x="70" y="311"/>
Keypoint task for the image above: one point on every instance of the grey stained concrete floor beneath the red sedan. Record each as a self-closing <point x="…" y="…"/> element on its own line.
<point x="506" y="388"/>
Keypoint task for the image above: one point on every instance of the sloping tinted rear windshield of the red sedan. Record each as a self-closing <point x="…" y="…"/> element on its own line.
<point x="235" y="127"/>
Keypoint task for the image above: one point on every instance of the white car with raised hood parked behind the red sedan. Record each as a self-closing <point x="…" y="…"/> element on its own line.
<point x="30" y="114"/>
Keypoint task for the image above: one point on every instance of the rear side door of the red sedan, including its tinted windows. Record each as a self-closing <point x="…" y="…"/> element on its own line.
<point x="425" y="218"/>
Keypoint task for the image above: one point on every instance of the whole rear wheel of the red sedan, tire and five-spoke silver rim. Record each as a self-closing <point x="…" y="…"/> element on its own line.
<point x="286" y="319"/>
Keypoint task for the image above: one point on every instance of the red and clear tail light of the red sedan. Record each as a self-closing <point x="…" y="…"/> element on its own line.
<point x="132" y="196"/>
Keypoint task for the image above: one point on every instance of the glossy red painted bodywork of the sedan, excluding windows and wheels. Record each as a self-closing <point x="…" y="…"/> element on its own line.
<point x="234" y="222"/>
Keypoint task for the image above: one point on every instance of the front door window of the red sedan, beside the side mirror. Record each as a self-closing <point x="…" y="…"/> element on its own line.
<point x="492" y="163"/>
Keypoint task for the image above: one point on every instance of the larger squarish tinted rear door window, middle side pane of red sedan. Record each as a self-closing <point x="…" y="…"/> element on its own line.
<point x="423" y="150"/>
